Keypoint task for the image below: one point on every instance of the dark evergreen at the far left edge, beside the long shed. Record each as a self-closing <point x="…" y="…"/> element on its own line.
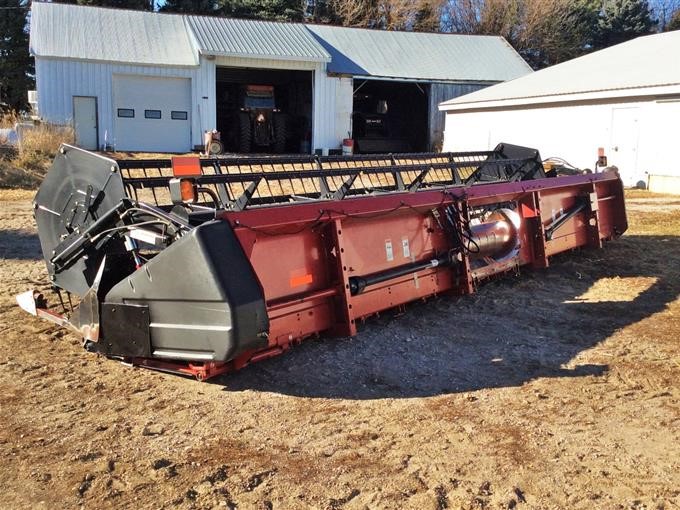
<point x="16" y="65"/>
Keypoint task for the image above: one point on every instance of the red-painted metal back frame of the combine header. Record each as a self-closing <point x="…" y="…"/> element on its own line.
<point x="304" y="254"/>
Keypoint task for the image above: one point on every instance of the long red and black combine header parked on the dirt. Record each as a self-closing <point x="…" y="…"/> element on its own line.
<point x="200" y="266"/>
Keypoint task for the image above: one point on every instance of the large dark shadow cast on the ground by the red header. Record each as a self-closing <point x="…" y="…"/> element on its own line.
<point x="513" y="330"/>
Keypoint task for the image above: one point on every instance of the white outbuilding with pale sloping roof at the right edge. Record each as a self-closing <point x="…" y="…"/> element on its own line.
<point x="624" y="99"/>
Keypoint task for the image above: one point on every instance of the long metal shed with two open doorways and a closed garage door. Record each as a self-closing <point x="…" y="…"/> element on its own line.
<point x="144" y="81"/>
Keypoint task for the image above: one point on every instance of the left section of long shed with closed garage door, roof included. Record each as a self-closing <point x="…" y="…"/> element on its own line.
<point x="118" y="87"/>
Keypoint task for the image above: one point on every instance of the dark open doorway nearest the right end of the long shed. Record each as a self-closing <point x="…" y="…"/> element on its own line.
<point x="390" y="116"/>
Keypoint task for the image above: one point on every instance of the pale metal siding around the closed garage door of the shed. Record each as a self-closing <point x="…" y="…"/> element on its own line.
<point x="58" y="80"/>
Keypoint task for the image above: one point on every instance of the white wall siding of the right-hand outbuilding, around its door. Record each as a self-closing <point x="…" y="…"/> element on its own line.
<point x="573" y="132"/>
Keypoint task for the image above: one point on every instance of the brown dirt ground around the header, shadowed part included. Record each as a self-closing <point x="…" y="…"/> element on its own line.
<point x="557" y="389"/>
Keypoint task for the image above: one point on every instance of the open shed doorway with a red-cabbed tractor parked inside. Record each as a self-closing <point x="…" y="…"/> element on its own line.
<point x="264" y="110"/>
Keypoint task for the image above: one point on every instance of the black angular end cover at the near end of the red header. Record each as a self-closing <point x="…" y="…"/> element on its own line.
<point x="204" y="299"/>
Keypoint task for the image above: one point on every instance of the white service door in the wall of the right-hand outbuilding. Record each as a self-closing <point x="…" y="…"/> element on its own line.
<point x="624" y="144"/>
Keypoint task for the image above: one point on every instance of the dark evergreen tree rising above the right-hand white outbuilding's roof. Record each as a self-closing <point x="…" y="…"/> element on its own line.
<point x="622" y="20"/>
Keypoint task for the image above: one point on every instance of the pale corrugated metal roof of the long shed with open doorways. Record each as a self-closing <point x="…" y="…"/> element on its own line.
<point x="146" y="38"/>
